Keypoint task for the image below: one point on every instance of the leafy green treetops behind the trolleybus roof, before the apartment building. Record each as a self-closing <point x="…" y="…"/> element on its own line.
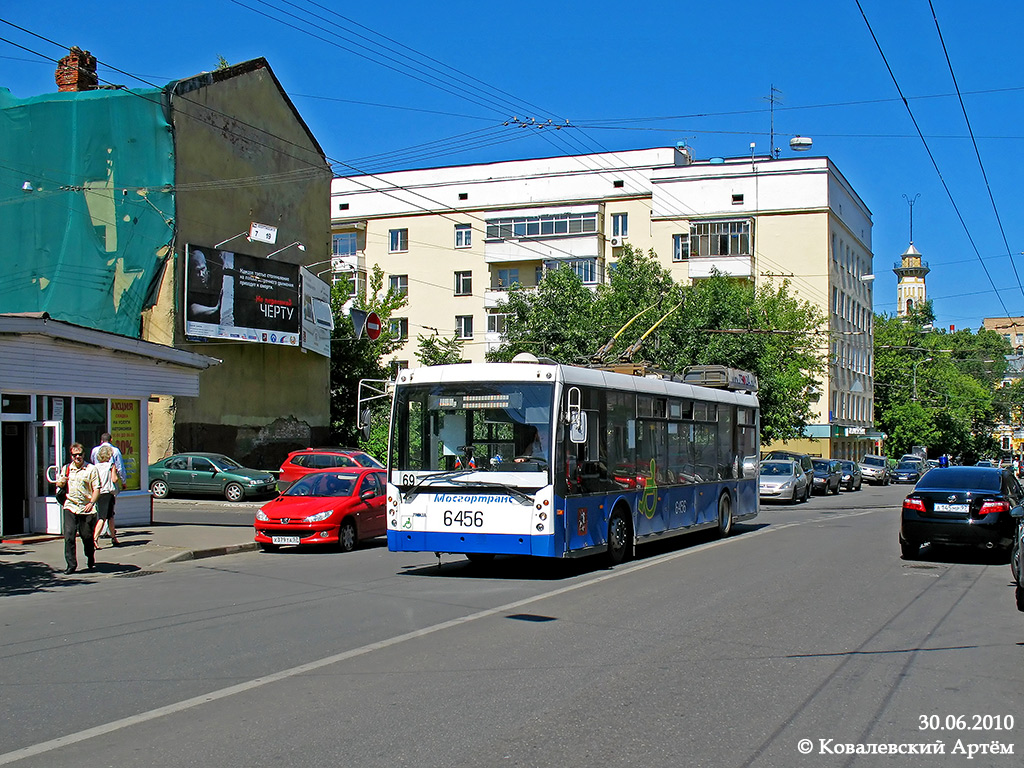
<point x="718" y="321"/>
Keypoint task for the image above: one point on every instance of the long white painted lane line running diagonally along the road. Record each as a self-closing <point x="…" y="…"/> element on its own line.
<point x="217" y="696"/>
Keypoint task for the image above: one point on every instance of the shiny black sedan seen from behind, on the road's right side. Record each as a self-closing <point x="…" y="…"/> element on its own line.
<point x="962" y="506"/>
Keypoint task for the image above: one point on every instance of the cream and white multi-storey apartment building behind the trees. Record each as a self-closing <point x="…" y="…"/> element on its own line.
<point x="455" y="239"/>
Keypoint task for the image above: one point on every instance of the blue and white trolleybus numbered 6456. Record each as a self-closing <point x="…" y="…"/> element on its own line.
<point x="535" y="458"/>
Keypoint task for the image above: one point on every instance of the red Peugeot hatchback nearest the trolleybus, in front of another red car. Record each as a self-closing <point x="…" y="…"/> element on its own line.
<point x="340" y="507"/>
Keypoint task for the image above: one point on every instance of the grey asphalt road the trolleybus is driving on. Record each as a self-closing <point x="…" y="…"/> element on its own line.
<point x="806" y="625"/>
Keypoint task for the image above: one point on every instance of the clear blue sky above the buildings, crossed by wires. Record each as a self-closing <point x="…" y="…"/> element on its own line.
<point x="438" y="89"/>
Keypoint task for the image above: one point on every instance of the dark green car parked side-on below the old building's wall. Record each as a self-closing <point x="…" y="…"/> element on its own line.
<point x="208" y="474"/>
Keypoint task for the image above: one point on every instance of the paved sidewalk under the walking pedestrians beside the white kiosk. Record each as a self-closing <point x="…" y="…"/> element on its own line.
<point x="30" y="563"/>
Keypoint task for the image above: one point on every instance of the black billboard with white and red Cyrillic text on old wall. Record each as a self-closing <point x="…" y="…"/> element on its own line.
<point x="231" y="295"/>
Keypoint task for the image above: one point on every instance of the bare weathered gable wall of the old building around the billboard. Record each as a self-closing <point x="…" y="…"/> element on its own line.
<point x="243" y="154"/>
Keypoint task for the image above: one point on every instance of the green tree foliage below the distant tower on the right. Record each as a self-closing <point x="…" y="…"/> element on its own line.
<point x="938" y="389"/>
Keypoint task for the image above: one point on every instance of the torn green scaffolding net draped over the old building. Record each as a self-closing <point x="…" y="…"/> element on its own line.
<point x="87" y="205"/>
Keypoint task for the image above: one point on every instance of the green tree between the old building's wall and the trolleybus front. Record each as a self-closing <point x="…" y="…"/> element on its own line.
<point x="354" y="360"/>
